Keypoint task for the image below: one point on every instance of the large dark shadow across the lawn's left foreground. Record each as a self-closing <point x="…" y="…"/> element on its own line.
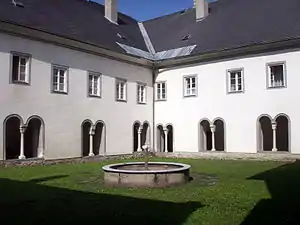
<point x="32" y="203"/>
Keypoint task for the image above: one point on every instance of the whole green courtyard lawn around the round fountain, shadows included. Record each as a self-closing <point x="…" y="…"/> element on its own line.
<point x="221" y="193"/>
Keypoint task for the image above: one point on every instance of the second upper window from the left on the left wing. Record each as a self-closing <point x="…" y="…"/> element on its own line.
<point x="59" y="79"/>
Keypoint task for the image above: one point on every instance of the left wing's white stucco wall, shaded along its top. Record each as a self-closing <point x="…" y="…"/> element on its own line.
<point x="63" y="114"/>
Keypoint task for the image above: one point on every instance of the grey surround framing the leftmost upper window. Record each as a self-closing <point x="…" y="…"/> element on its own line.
<point x="28" y="68"/>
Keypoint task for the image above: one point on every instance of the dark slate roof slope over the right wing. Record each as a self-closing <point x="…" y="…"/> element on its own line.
<point x="230" y="24"/>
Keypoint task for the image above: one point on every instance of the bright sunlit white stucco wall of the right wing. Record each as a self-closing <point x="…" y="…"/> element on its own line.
<point x="239" y="111"/>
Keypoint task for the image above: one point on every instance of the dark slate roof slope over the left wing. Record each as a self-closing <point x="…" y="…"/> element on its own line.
<point x="75" y="19"/>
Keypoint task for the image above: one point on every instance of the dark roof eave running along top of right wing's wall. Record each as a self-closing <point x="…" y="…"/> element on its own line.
<point x="229" y="53"/>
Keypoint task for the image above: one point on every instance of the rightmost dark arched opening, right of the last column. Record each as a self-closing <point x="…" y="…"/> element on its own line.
<point x="282" y="133"/>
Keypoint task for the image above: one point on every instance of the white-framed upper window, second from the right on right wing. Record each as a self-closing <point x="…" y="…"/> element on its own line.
<point x="235" y="81"/>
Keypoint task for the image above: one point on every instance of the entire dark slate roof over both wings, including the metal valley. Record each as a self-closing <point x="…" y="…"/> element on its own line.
<point x="230" y="24"/>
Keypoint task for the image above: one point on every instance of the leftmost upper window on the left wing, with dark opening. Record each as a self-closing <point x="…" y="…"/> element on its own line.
<point x="20" y="68"/>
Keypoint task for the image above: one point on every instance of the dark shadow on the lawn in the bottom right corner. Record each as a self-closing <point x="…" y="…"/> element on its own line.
<point x="284" y="207"/>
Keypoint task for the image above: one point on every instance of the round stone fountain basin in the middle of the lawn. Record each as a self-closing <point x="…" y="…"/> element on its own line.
<point x="159" y="174"/>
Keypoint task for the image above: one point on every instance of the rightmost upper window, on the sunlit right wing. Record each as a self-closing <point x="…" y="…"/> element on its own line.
<point x="276" y="75"/>
